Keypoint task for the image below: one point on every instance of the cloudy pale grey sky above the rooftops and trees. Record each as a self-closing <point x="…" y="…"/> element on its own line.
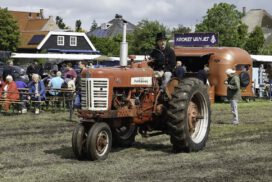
<point x="170" y="13"/>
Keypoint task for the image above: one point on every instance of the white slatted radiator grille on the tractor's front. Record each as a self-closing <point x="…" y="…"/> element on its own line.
<point x="94" y="93"/>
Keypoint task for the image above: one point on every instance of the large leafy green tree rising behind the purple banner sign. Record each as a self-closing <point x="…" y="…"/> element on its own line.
<point x="226" y="20"/>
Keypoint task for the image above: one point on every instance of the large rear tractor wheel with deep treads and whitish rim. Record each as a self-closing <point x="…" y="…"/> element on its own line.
<point x="189" y="116"/>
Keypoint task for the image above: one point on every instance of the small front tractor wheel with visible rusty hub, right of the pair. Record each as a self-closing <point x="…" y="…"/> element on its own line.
<point x="99" y="141"/>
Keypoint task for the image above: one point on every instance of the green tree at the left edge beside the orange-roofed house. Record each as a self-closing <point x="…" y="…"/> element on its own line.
<point x="9" y="32"/>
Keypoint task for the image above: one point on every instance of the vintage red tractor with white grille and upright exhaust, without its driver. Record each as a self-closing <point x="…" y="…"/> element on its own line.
<point x="120" y="102"/>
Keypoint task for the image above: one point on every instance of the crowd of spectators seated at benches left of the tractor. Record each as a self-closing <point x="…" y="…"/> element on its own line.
<point x="39" y="85"/>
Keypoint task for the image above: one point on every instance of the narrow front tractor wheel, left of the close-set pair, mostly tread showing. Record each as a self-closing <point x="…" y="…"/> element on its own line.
<point x="78" y="142"/>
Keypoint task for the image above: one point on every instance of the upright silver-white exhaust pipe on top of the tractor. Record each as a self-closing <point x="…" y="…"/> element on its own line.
<point x="124" y="47"/>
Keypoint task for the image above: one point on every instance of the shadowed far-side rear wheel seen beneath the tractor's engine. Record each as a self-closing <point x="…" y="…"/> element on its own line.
<point x="124" y="136"/>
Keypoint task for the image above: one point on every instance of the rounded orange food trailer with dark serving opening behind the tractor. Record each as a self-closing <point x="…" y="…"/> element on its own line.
<point x="219" y="59"/>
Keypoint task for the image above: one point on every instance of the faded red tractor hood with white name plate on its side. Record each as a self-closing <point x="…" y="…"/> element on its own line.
<point x="122" y="76"/>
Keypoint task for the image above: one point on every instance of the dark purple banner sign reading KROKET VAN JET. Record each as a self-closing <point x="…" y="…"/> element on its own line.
<point x="196" y="39"/>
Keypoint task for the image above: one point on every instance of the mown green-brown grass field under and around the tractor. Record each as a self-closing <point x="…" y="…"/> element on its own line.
<point x="38" y="148"/>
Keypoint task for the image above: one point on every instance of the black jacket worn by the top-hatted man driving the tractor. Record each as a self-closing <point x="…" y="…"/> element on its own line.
<point x="164" y="59"/>
